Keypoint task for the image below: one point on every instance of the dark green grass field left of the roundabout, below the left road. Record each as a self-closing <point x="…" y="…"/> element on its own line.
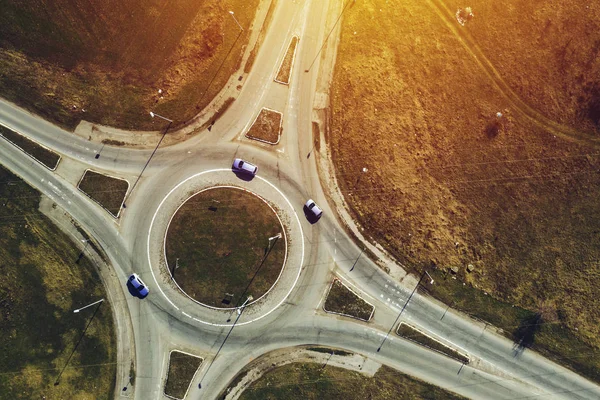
<point x="44" y="280"/>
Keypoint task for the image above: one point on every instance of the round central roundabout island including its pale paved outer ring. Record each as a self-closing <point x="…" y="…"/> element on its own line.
<point x="217" y="242"/>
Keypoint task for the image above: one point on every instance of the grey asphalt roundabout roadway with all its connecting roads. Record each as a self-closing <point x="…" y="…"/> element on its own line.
<point x="292" y="314"/>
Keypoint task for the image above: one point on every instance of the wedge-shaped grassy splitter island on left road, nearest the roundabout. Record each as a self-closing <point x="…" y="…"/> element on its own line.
<point x="106" y="190"/>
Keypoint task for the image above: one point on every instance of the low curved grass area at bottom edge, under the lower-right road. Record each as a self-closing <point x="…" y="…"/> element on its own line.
<point x="300" y="381"/>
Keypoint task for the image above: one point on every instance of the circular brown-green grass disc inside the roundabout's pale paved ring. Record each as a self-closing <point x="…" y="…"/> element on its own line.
<point x="219" y="239"/>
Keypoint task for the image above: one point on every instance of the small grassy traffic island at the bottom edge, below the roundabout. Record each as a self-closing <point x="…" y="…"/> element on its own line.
<point x="182" y="368"/>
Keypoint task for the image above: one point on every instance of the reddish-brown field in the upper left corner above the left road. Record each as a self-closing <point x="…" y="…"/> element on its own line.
<point x="105" y="61"/>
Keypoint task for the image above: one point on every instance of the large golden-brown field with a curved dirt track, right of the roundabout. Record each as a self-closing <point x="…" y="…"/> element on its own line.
<point x="449" y="183"/>
